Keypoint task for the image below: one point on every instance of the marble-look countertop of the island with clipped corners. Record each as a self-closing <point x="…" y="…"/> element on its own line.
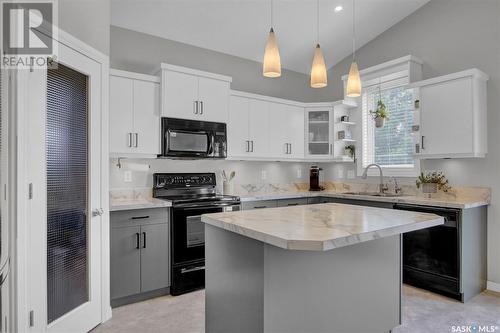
<point x="320" y="227"/>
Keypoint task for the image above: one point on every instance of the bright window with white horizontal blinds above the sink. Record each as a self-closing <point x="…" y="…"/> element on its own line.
<point x="390" y="146"/>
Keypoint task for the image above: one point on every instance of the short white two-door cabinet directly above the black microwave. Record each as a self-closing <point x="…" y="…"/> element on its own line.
<point x="192" y="94"/>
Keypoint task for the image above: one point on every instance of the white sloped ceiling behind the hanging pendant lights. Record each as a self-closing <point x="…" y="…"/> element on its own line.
<point x="240" y="27"/>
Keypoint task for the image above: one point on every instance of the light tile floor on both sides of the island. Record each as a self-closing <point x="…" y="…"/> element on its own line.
<point x="423" y="312"/>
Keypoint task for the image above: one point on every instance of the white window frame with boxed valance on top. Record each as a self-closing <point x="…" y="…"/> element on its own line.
<point x="398" y="72"/>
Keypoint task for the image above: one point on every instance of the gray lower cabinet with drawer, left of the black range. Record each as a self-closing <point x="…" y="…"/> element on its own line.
<point x="140" y="255"/>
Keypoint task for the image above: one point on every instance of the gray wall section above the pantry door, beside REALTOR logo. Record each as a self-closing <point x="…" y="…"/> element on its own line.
<point x="87" y="20"/>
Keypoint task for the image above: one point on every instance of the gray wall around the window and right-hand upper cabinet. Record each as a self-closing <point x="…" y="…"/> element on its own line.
<point x="449" y="36"/>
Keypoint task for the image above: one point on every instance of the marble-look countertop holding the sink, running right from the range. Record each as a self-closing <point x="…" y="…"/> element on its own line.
<point x="448" y="202"/>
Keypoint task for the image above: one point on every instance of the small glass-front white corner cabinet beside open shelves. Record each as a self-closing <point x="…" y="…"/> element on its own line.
<point x="319" y="138"/>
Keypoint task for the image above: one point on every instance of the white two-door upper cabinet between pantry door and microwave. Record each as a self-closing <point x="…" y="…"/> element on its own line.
<point x="134" y="114"/>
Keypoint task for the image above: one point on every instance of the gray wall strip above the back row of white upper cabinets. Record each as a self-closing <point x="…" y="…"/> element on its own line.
<point x="143" y="53"/>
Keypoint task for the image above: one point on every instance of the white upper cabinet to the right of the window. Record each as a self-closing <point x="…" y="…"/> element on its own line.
<point x="453" y="113"/>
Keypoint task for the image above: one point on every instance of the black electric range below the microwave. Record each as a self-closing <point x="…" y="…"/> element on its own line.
<point x="191" y="194"/>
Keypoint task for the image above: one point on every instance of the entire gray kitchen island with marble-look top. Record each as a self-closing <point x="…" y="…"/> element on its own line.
<point x="318" y="268"/>
